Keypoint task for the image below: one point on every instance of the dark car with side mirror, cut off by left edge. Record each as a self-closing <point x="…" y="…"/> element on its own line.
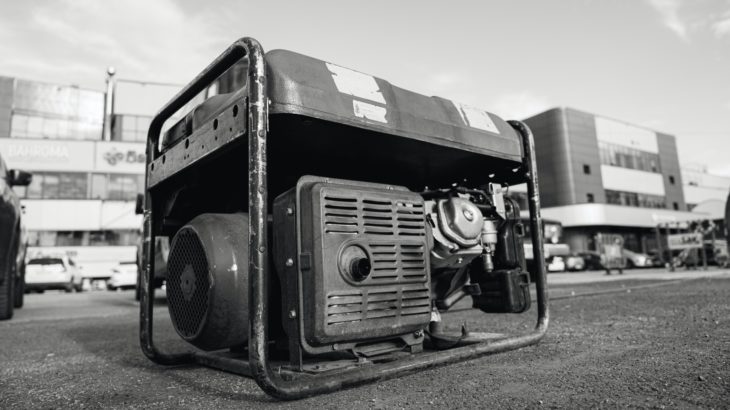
<point x="12" y="240"/>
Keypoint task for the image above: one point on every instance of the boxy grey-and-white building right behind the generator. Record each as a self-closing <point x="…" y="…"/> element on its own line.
<point x="599" y="175"/>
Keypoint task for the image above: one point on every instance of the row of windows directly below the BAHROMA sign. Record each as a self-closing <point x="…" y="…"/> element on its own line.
<point x="82" y="185"/>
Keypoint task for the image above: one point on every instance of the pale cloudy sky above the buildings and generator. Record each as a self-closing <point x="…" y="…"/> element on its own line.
<point x="661" y="64"/>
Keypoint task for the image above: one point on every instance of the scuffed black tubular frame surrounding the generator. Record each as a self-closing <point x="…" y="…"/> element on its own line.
<point x="258" y="365"/>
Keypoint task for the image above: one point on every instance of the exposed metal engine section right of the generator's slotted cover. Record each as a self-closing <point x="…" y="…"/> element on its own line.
<point x="476" y="234"/>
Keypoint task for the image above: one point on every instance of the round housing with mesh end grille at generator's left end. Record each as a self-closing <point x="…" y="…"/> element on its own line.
<point x="207" y="281"/>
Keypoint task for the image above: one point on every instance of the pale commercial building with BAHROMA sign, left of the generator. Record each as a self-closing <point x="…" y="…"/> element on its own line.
<point x="84" y="188"/>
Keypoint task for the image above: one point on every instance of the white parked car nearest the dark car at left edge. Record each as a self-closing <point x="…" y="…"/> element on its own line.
<point x="52" y="272"/>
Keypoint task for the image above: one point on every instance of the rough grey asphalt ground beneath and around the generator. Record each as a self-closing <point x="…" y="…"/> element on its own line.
<point x="648" y="338"/>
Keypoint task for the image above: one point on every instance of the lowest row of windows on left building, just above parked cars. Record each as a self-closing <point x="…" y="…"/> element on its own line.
<point x="84" y="238"/>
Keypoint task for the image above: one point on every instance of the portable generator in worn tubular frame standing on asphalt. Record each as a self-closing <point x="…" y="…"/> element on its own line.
<point x="321" y="220"/>
